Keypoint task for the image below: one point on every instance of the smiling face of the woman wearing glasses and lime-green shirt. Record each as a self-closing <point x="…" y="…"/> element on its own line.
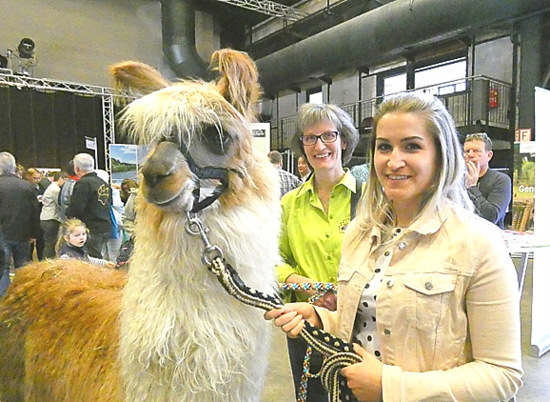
<point x="323" y="157"/>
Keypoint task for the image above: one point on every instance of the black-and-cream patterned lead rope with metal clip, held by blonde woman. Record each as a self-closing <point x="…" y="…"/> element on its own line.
<point x="338" y="353"/>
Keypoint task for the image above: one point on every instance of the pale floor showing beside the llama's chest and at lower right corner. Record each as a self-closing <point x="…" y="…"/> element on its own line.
<point x="536" y="386"/>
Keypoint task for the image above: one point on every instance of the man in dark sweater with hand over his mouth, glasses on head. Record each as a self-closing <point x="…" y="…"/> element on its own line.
<point x="489" y="190"/>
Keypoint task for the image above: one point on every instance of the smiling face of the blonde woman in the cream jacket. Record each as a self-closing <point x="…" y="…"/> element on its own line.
<point x="405" y="161"/>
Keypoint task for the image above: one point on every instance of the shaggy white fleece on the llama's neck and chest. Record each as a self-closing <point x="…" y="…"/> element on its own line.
<point x="183" y="337"/>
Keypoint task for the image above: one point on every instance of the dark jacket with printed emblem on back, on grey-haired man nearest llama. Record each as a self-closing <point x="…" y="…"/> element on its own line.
<point x="91" y="203"/>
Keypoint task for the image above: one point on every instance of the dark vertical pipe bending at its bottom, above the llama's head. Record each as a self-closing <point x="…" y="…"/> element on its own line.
<point x="178" y="40"/>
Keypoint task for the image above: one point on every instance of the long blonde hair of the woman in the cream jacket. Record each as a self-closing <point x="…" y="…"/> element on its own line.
<point x="375" y="209"/>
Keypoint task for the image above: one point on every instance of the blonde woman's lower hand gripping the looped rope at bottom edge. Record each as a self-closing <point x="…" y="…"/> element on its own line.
<point x="365" y="378"/>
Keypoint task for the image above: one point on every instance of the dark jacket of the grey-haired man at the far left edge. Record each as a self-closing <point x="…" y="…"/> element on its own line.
<point x="19" y="209"/>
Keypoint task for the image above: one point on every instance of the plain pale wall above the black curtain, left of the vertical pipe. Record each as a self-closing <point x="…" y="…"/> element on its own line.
<point x="76" y="40"/>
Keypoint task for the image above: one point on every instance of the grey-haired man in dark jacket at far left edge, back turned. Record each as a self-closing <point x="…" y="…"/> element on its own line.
<point x="19" y="217"/>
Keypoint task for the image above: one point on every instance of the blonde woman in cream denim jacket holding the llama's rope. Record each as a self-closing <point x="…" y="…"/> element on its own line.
<point x="424" y="286"/>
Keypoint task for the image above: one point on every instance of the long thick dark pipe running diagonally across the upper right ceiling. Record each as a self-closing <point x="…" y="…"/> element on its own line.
<point x="386" y="31"/>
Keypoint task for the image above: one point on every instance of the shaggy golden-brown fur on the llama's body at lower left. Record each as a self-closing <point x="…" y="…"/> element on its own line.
<point x="58" y="316"/>
